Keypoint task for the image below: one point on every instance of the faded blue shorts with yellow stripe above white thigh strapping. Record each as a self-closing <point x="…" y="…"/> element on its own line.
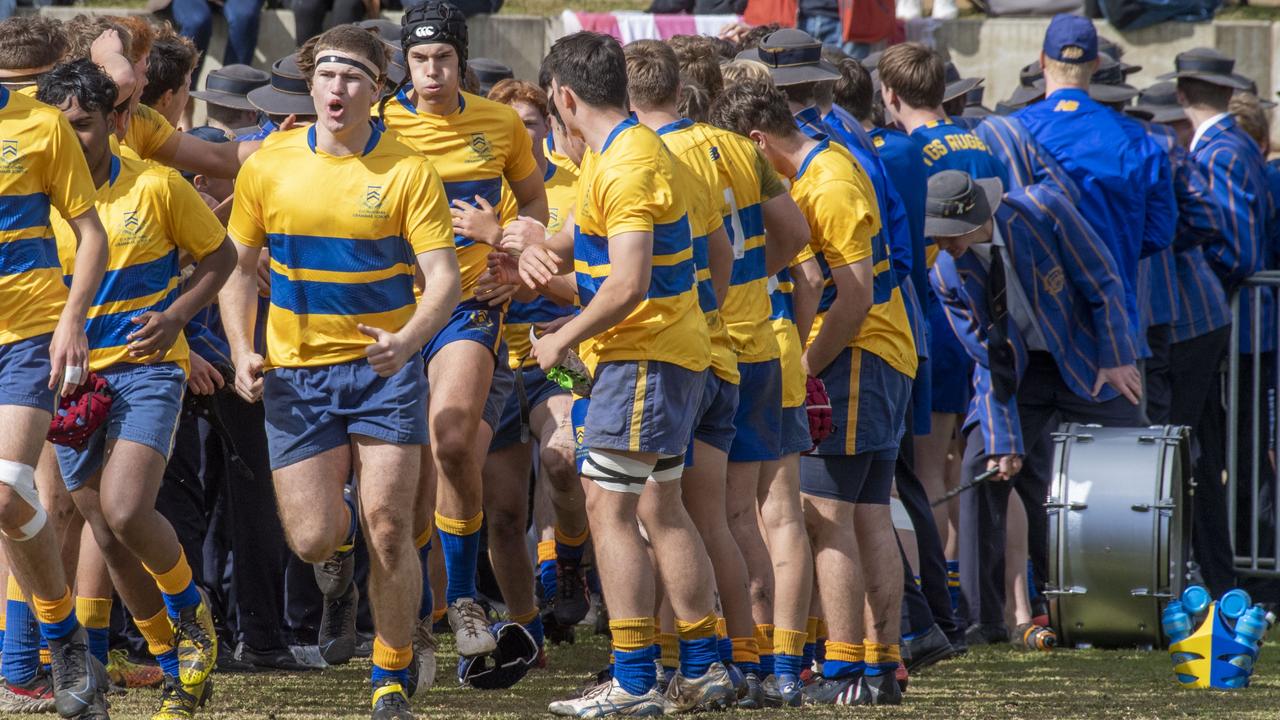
<point x="643" y="407"/>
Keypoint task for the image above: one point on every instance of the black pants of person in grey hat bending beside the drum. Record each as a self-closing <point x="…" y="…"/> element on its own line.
<point x="1044" y="400"/>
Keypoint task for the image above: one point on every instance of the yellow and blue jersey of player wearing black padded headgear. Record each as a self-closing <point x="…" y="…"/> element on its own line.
<point x="474" y="151"/>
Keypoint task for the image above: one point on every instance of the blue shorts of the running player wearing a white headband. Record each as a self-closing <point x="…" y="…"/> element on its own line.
<point x="312" y="411"/>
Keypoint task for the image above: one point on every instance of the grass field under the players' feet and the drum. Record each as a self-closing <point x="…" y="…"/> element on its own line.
<point x="989" y="683"/>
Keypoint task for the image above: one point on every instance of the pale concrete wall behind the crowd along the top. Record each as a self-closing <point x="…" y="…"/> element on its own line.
<point x="994" y="48"/>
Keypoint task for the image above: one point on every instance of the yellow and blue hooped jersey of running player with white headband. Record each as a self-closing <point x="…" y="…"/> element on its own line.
<point x="344" y="244"/>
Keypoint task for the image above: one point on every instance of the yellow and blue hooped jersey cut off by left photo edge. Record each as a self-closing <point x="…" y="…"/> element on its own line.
<point x="42" y="168"/>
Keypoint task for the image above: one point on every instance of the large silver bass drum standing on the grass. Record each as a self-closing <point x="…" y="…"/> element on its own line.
<point x="1119" y="532"/>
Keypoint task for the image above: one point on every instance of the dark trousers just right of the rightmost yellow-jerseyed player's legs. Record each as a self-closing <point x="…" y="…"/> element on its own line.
<point x="932" y="559"/>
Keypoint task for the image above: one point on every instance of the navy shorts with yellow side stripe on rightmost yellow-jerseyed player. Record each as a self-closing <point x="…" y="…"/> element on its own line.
<point x="868" y="404"/>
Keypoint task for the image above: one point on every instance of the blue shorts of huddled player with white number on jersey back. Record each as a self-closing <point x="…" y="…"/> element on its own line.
<point x="760" y="413"/>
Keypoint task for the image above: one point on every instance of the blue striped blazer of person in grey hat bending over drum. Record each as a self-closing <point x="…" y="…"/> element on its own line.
<point x="1076" y="293"/>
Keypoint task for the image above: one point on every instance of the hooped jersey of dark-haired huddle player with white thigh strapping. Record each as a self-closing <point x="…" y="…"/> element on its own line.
<point x="630" y="186"/>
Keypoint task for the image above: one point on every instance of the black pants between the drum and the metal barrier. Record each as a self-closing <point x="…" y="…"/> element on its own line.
<point x="1197" y="403"/>
